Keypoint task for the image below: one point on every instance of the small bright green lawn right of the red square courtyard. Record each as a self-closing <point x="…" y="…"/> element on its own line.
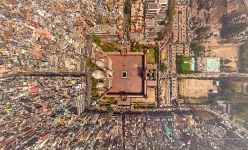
<point x="183" y="65"/>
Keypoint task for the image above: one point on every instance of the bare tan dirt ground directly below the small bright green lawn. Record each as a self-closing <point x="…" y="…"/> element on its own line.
<point x="194" y="88"/>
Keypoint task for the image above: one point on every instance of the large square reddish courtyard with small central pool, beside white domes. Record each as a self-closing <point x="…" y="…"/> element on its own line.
<point x="128" y="72"/>
